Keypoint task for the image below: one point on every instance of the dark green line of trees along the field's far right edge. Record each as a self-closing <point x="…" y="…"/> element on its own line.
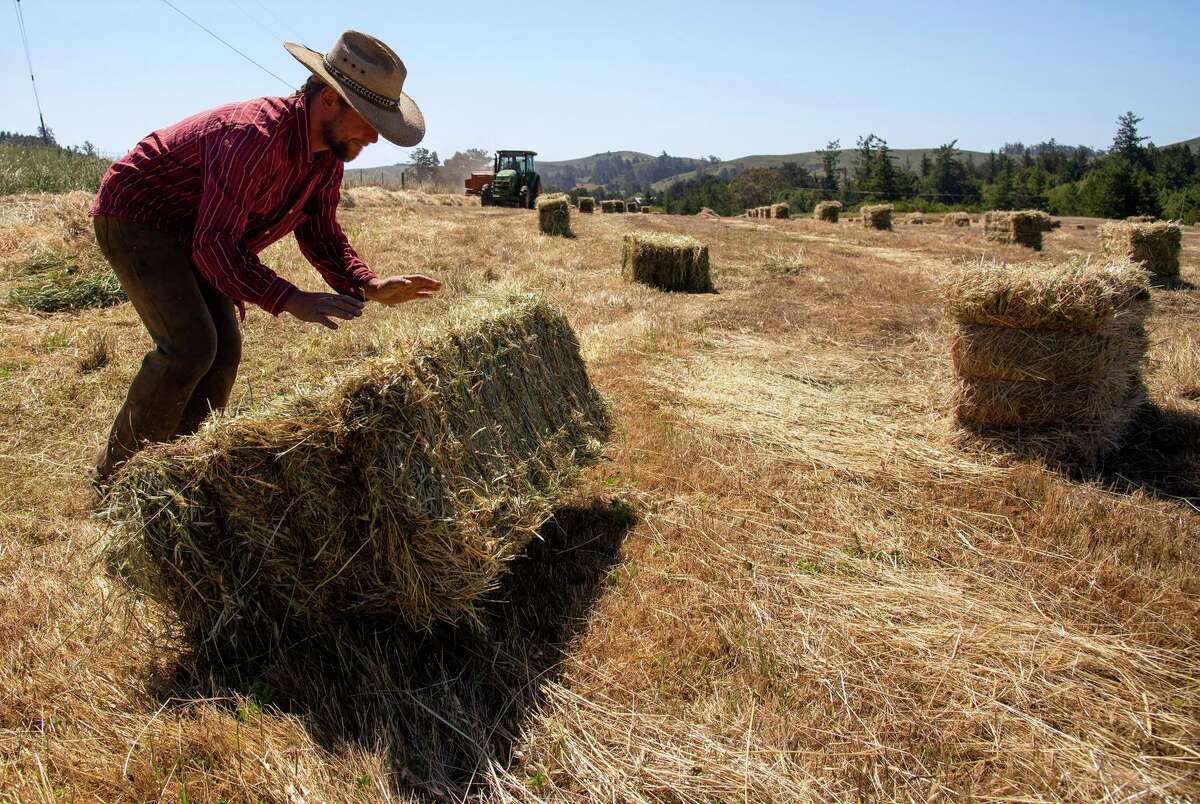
<point x="1132" y="178"/>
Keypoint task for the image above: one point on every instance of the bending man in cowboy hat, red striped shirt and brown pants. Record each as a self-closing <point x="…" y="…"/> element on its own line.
<point x="183" y="217"/>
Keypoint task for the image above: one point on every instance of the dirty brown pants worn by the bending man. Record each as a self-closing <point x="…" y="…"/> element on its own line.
<point x="197" y="340"/>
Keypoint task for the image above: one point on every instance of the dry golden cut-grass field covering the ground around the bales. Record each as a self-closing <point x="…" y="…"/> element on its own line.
<point x="782" y="584"/>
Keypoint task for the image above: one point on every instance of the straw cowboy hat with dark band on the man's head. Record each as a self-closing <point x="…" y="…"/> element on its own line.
<point x="370" y="77"/>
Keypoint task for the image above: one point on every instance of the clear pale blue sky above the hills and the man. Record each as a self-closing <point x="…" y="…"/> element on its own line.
<point x="695" y="79"/>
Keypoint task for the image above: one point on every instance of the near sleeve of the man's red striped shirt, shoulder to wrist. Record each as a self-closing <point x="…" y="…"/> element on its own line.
<point x="235" y="160"/>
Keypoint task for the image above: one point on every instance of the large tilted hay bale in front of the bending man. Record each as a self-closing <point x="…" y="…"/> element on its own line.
<point x="404" y="490"/>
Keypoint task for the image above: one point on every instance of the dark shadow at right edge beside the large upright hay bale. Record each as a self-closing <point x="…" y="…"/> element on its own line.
<point x="1161" y="457"/>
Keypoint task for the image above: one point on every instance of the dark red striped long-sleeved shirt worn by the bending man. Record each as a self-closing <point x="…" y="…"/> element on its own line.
<point x="230" y="183"/>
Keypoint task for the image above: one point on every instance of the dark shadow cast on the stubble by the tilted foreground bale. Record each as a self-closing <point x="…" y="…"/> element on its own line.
<point x="443" y="705"/>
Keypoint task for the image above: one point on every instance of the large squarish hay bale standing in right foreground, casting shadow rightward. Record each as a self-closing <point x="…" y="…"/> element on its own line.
<point x="1048" y="359"/>
